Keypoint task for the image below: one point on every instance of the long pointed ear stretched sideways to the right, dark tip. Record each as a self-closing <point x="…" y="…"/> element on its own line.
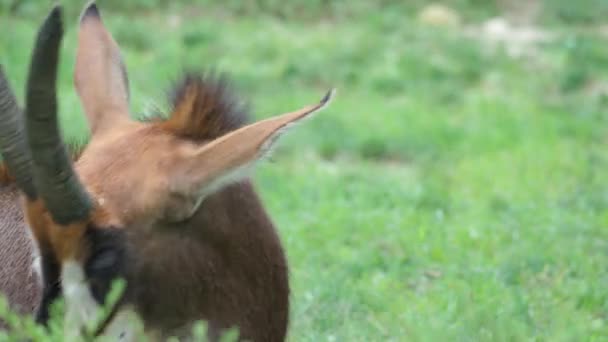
<point x="231" y="157"/>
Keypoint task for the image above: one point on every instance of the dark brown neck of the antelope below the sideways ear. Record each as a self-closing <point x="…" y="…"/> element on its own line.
<point x="226" y="266"/>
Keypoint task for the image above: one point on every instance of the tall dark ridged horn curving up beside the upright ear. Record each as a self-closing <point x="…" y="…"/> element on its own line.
<point x="55" y="179"/>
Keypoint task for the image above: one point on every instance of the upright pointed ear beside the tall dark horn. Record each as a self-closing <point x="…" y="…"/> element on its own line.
<point x="100" y="76"/>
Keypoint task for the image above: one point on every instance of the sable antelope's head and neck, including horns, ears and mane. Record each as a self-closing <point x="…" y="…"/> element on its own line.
<point x="165" y="204"/>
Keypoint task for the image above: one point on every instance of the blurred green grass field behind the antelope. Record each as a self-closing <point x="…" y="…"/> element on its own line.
<point x="450" y="193"/>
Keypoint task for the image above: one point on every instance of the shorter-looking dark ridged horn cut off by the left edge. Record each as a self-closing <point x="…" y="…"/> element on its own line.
<point x="12" y="140"/>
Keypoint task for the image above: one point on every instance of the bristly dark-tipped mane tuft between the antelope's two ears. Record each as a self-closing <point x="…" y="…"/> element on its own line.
<point x="204" y="107"/>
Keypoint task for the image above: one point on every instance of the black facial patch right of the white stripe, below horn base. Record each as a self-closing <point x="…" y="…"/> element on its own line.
<point x="107" y="260"/>
